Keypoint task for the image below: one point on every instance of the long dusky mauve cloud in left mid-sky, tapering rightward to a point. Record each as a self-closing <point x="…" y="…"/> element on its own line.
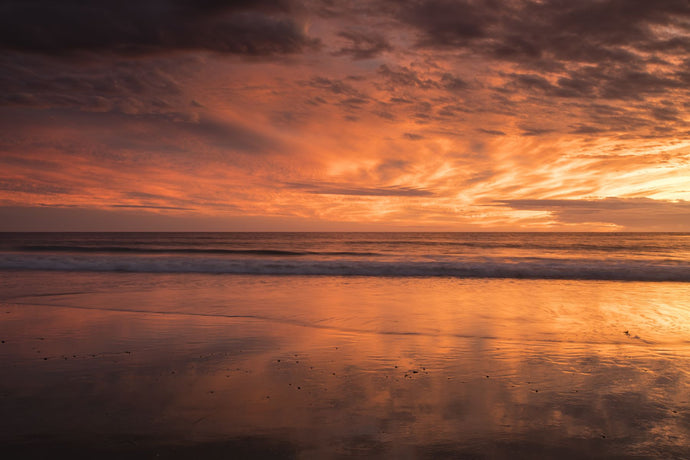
<point x="118" y="137"/>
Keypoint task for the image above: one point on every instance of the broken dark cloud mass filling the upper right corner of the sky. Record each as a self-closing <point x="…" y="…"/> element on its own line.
<point x="628" y="50"/>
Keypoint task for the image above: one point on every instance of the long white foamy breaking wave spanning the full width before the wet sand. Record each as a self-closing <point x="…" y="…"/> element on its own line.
<point x="527" y="268"/>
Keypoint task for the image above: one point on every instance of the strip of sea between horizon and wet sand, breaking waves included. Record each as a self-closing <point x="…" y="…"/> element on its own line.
<point x="610" y="256"/>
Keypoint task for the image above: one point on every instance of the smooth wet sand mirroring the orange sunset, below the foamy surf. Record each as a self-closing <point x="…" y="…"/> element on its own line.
<point x="330" y="367"/>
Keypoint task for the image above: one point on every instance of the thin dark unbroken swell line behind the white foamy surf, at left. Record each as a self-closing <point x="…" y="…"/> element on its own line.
<point x="210" y="251"/>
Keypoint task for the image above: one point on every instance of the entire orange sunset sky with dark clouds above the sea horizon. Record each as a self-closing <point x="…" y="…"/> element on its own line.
<point x="325" y="115"/>
